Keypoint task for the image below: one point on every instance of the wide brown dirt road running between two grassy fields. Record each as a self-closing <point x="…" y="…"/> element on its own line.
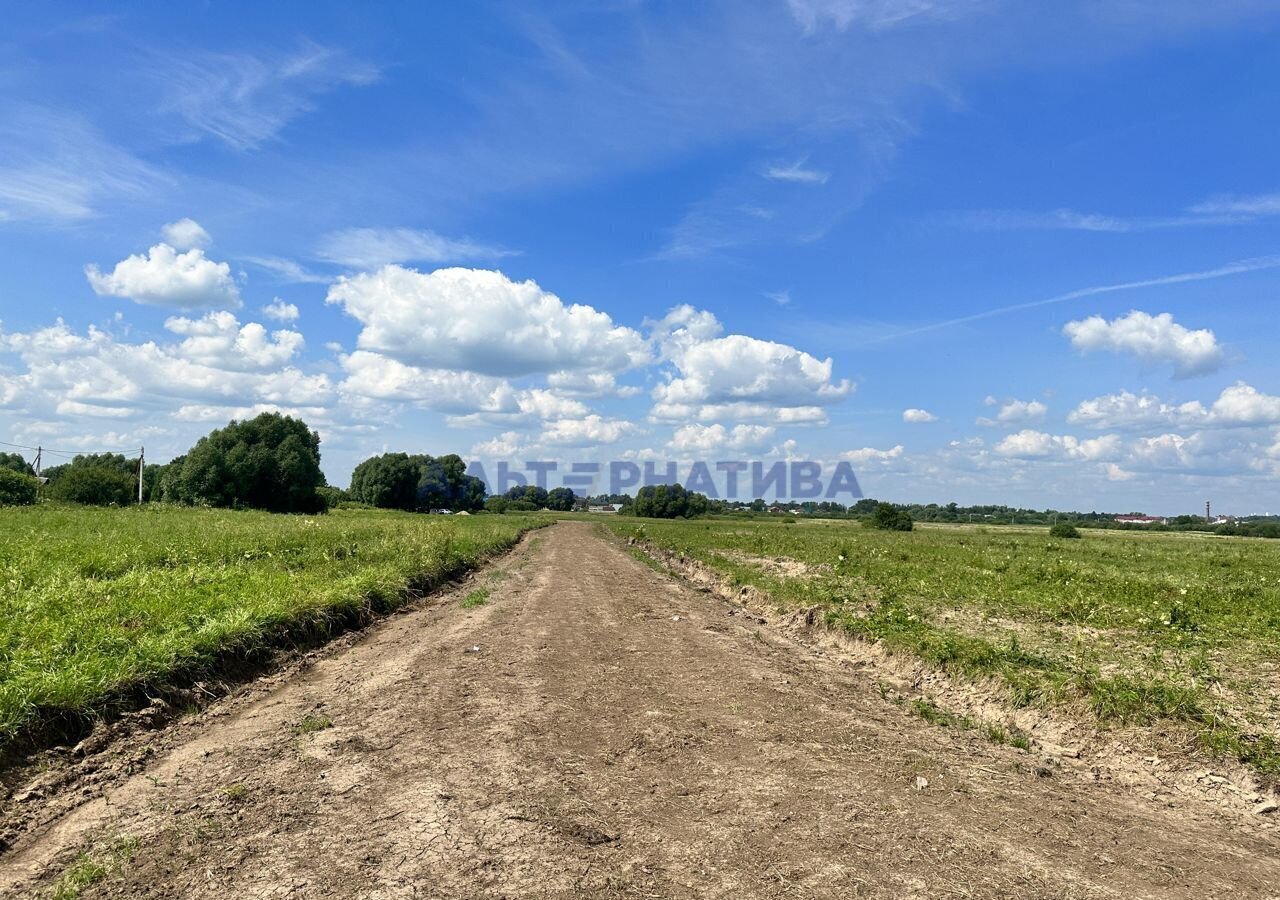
<point x="601" y="730"/>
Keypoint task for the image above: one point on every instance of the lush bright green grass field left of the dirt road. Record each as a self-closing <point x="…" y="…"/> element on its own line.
<point x="98" y="602"/>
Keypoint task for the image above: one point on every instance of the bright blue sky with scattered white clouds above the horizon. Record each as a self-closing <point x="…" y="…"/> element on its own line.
<point x="985" y="252"/>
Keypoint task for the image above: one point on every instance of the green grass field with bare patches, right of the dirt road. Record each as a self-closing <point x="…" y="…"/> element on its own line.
<point x="1141" y="629"/>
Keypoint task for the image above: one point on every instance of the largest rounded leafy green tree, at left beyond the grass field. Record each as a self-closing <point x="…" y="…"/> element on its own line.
<point x="268" y="463"/>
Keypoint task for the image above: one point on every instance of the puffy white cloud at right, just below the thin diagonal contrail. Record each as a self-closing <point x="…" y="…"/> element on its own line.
<point x="1151" y="339"/>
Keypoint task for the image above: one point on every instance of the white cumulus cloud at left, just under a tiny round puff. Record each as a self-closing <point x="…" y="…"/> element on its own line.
<point x="167" y="278"/>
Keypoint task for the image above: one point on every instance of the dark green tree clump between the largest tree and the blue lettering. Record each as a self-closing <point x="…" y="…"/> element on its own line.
<point x="417" y="483"/>
